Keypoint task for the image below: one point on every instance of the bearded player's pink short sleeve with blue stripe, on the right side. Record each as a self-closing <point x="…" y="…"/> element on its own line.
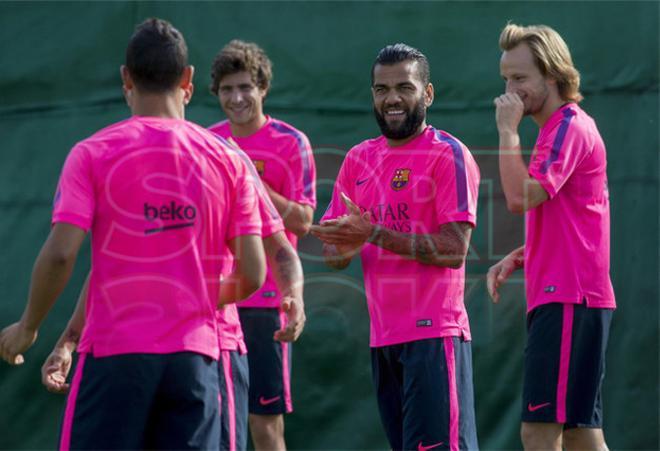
<point x="457" y="181"/>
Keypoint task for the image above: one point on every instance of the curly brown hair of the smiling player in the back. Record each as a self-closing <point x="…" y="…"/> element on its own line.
<point x="240" y="56"/>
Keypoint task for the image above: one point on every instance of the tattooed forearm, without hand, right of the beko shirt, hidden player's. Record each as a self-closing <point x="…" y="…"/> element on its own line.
<point x="285" y="265"/>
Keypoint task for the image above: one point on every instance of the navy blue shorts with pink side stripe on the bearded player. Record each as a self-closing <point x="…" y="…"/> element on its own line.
<point x="425" y="394"/>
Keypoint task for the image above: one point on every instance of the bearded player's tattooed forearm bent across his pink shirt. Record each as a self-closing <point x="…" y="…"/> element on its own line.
<point x="447" y="249"/>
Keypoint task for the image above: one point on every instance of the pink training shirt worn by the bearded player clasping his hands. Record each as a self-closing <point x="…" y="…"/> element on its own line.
<point x="413" y="189"/>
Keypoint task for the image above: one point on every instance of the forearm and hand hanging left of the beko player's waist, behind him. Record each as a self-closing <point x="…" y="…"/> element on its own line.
<point x="56" y="368"/>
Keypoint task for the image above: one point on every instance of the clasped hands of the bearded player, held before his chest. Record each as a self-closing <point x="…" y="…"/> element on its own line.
<point x="349" y="232"/>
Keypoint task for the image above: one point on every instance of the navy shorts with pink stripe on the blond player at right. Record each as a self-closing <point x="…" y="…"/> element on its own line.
<point x="565" y="365"/>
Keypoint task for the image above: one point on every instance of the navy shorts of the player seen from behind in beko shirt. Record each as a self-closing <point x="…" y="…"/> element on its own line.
<point x="143" y="401"/>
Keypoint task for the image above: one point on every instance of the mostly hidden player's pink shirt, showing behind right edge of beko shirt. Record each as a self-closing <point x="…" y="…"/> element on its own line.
<point x="230" y="333"/>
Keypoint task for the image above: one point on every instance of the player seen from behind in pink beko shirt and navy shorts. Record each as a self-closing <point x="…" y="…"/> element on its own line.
<point x="166" y="204"/>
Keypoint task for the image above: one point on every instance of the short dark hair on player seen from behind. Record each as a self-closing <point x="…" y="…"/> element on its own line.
<point x="156" y="56"/>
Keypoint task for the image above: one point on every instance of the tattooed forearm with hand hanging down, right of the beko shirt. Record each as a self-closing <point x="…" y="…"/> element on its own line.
<point x="287" y="271"/>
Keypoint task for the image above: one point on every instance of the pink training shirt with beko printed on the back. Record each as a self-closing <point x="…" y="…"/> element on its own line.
<point x="162" y="197"/>
